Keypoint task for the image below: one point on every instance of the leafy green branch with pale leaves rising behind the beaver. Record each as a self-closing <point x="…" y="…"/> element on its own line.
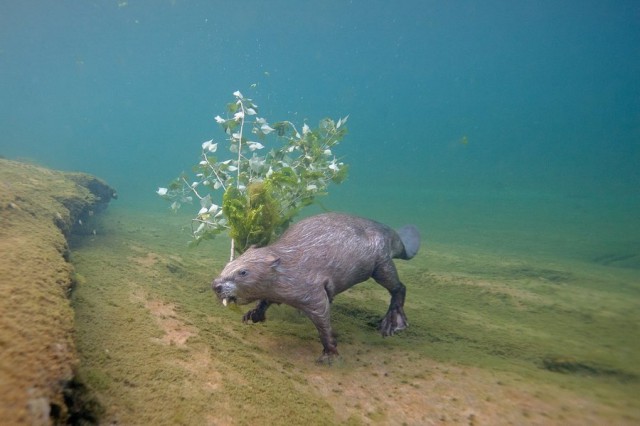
<point x="261" y="193"/>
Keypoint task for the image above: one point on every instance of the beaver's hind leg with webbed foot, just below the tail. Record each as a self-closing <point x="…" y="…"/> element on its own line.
<point x="395" y="320"/>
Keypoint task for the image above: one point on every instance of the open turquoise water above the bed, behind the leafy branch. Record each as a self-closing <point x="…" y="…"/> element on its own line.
<point x="511" y="127"/>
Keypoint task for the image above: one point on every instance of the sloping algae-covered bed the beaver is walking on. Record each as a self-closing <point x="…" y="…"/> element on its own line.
<point x="480" y="331"/>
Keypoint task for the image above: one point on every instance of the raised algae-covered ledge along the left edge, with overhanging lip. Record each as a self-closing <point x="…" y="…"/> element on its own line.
<point x="38" y="209"/>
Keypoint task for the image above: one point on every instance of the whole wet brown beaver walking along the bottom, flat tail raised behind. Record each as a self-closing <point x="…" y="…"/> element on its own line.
<point x="313" y="261"/>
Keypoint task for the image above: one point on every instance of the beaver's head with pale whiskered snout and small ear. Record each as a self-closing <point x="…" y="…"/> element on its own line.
<point x="246" y="278"/>
